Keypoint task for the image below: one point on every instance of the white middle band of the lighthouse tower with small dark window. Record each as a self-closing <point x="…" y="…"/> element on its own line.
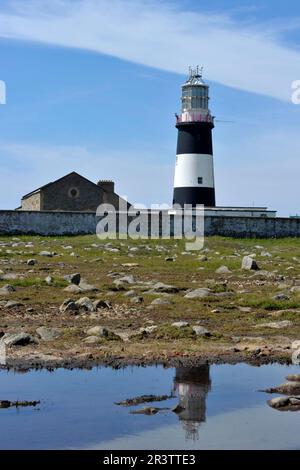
<point x="194" y="170"/>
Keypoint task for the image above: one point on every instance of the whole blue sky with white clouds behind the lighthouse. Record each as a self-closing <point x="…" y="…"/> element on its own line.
<point x="93" y="86"/>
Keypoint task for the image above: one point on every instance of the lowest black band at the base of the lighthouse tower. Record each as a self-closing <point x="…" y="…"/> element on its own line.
<point x="194" y="196"/>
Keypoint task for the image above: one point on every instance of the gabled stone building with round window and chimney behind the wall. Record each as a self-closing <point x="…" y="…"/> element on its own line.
<point x="72" y="193"/>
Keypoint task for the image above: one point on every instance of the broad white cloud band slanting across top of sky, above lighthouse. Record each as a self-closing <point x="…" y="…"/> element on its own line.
<point x="159" y="34"/>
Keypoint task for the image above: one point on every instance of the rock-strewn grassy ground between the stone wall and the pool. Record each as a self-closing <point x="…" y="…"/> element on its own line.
<point x="240" y="301"/>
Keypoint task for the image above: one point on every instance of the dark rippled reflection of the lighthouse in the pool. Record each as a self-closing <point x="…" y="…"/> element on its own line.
<point x="192" y="386"/>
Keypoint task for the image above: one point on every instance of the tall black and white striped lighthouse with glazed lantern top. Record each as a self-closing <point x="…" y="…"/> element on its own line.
<point x="194" y="170"/>
